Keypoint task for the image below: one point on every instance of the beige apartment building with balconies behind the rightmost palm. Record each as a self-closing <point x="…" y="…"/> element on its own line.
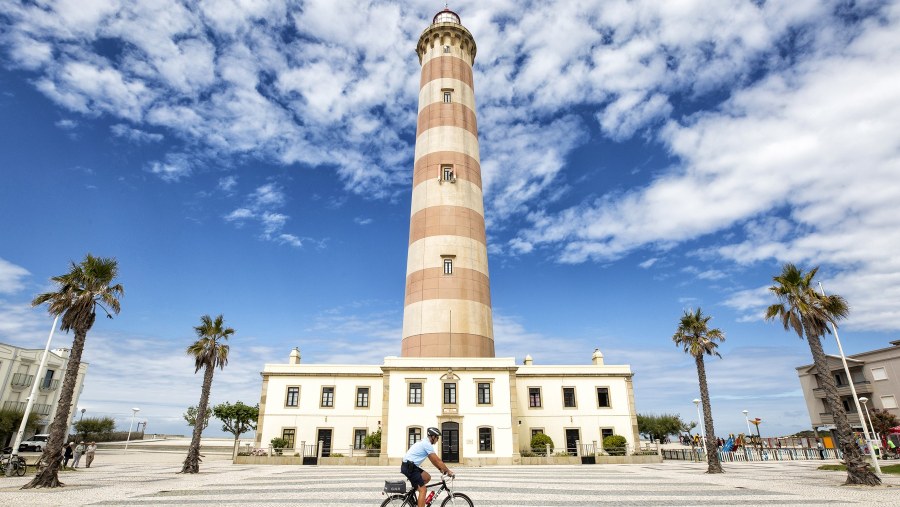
<point x="875" y="376"/>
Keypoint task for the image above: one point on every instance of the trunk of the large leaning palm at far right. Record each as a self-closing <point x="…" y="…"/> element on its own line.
<point x="858" y="471"/>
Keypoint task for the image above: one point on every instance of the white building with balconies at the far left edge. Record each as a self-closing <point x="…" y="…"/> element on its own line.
<point x="18" y="373"/>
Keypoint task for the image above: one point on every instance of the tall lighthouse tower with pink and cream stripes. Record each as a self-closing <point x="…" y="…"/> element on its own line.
<point x="447" y="308"/>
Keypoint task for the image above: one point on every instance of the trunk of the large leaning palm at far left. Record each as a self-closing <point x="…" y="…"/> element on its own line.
<point x="59" y="429"/>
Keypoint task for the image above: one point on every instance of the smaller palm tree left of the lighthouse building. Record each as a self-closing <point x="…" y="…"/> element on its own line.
<point x="208" y="352"/>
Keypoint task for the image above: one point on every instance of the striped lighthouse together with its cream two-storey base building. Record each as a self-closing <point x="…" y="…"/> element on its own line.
<point x="447" y="376"/>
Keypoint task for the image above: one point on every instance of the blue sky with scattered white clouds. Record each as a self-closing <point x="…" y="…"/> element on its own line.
<point x="253" y="158"/>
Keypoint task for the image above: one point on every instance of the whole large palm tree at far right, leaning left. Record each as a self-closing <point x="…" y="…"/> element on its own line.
<point x="808" y="313"/>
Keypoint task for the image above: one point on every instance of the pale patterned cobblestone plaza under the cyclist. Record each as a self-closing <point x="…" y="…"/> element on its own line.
<point x="149" y="480"/>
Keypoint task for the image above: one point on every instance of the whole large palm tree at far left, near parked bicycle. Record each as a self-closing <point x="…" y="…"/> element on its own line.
<point x="79" y="292"/>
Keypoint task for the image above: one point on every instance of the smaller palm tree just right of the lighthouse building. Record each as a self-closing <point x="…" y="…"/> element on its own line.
<point x="698" y="340"/>
